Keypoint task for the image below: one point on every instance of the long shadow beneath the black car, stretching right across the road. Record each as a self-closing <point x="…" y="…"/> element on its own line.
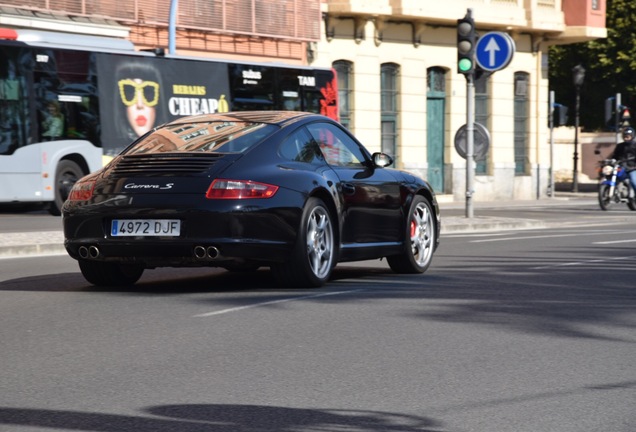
<point x="518" y="295"/>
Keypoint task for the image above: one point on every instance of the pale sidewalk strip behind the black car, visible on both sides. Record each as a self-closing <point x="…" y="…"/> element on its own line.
<point x="52" y="242"/>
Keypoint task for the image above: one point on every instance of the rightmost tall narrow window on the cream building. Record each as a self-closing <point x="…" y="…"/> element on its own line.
<point x="522" y="162"/>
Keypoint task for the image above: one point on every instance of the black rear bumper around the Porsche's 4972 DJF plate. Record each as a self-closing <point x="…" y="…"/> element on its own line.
<point x="206" y="237"/>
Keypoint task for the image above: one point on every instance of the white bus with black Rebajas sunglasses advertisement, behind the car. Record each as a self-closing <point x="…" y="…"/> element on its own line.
<point x="66" y="109"/>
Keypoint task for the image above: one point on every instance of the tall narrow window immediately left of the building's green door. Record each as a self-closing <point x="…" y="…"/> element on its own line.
<point x="389" y="73"/>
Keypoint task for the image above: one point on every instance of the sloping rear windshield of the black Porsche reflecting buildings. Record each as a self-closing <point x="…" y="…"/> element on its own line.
<point x="211" y="137"/>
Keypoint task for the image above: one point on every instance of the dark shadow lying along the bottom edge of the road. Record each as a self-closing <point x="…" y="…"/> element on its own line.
<point x="219" y="418"/>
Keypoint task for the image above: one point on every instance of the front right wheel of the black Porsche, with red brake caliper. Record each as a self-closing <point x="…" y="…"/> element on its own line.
<point x="419" y="243"/>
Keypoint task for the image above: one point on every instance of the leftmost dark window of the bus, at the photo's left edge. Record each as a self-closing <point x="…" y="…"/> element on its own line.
<point x="14" y="109"/>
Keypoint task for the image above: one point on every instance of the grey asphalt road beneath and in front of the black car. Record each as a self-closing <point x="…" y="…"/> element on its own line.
<point x="519" y="331"/>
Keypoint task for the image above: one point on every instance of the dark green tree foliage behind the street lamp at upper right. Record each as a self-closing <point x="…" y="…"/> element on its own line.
<point x="610" y="67"/>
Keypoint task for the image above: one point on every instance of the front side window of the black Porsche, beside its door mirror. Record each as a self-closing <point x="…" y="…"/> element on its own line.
<point x="336" y="146"/>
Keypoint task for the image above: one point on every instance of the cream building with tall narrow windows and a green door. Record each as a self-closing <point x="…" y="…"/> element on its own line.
<point x="400" y="90"/>
